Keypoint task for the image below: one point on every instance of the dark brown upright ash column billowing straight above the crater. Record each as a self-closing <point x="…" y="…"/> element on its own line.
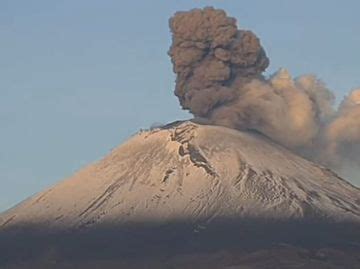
<point x="210" y="56"/>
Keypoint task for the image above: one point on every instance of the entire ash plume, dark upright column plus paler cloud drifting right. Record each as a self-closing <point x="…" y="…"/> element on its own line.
<point x="219" y="80"/>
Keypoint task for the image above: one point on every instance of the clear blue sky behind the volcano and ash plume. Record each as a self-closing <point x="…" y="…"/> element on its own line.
<point x="78" y="77"/>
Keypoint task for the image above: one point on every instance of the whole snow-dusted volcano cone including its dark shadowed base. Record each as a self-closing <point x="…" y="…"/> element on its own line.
<point x="187" y="187"/>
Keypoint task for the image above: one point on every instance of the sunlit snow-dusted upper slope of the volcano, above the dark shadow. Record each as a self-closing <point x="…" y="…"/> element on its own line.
<point x="187" y="171"/>
